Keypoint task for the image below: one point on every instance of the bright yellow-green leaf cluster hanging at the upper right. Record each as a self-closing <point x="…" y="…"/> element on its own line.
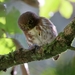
<point x="63" y="6"/>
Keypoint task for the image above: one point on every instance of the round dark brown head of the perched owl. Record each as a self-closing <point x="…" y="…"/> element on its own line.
<point x="28" y="21"/>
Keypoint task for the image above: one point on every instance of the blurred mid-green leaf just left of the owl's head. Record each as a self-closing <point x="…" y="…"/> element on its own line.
<point x="11" y="21"/>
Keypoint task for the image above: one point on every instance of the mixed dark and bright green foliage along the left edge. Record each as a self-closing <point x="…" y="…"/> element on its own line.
<point x="8" y="24"/>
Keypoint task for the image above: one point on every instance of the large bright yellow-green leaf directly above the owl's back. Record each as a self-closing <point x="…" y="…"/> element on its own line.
<point x="50" y="6"/>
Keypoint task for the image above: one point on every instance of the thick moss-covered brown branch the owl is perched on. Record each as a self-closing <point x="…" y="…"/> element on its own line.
<point x="60" y="44"/>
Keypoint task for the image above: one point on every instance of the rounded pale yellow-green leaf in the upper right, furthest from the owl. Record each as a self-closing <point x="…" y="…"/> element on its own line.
<point x="66" y="9"/>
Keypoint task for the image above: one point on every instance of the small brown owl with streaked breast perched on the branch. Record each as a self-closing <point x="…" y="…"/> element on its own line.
<point x="38" y="30"/>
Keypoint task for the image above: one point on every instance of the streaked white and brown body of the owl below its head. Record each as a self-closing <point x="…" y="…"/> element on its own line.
<point x="41" y="34"/>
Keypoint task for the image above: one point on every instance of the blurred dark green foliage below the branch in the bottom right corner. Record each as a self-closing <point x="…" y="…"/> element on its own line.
<point x="61" y="69"/>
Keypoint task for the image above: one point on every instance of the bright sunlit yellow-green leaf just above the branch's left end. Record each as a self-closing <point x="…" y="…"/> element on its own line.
<point x="6" y="46"/>
